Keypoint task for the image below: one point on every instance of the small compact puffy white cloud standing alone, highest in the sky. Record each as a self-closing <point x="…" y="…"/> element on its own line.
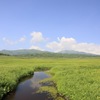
<point x="37" y="37"/>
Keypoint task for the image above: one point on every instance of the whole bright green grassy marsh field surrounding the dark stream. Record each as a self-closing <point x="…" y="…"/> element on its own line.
<point x="76" y="78"/>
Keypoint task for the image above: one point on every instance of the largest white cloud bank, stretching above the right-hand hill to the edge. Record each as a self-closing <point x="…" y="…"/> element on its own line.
<point x="71" y="44"/>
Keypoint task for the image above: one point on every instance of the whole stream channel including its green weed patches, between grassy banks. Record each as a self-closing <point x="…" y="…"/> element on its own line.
<point x="38" y="87"/>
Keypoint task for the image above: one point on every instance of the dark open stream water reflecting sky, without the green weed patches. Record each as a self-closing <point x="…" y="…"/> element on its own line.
<point x="27" y="89"/>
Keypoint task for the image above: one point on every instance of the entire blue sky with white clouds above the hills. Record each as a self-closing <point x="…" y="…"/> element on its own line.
<point x="51" y="25"/>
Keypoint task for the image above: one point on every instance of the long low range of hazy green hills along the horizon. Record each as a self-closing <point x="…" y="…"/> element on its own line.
<point x="38" y="53"/>
